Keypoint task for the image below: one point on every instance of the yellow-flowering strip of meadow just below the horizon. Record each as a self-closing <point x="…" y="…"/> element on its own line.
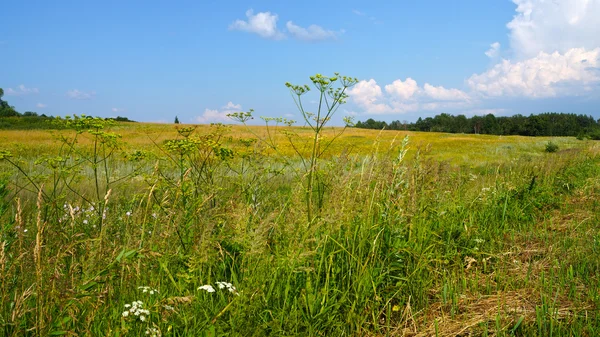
<point x="458" y="149"/>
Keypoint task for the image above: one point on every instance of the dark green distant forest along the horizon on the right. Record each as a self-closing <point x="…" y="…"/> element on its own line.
<point x="546" y="124"/>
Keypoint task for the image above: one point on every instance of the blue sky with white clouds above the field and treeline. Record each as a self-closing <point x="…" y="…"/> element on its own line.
<point x="199" y="60"/>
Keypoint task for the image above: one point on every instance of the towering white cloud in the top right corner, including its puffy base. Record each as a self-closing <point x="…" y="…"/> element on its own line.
<point x="556" y="52"/>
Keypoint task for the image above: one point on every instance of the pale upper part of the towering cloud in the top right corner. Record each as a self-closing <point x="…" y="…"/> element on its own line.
<point x="550" y="26"/>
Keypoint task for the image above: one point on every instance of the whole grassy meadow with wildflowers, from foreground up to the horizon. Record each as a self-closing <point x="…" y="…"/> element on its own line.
<point x="140" y="229"/>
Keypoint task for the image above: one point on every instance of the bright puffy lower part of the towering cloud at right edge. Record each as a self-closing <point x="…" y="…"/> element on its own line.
<point x="546" y="75"/>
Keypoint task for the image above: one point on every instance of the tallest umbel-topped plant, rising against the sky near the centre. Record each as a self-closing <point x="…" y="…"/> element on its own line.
<point x="332" y="93"/>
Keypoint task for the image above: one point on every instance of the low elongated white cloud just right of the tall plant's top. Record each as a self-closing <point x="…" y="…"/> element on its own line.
<point x="406" y="96"/>
